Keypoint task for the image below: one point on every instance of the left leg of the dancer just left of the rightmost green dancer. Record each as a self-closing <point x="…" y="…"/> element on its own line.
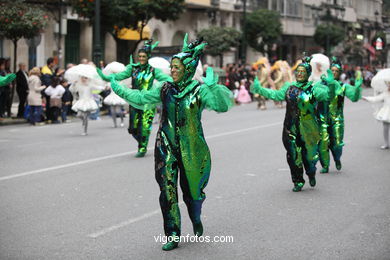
<point x="294" y="160"/>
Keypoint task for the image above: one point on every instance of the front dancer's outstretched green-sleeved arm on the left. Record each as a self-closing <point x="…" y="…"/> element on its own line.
<point x="140" y="99"/>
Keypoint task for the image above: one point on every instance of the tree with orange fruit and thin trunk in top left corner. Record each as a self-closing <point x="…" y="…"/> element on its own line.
<point x="20" y="20"/>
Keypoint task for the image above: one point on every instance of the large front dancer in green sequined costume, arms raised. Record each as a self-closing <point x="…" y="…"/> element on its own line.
<point x="181" y="148"/>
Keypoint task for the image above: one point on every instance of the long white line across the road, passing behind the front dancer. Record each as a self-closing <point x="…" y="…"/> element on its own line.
<point x="45" y="170"/>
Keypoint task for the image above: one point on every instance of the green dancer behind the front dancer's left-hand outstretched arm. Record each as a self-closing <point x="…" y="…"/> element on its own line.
<point x="143" y="75"/>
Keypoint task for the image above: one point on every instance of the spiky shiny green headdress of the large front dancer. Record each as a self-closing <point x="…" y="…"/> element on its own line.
<point x="190" y="56"/>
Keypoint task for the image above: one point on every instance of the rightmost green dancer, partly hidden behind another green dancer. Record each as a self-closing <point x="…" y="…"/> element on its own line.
<point x="335" y="124"/>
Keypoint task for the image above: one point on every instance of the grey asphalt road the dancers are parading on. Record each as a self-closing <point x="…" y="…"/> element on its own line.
<point x="67" y="196"/>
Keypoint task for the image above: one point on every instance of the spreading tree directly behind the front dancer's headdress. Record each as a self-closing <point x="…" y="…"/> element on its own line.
<point x="220" y="40"/>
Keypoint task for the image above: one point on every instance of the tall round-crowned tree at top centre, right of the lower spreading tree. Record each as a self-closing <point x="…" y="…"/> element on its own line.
<point x="262" y="28"/>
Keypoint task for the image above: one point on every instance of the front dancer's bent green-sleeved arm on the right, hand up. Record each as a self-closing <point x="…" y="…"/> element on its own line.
<point x="214" y="96"/>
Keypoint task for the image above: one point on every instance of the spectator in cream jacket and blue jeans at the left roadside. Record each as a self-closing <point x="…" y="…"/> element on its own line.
<point x="34" y="98"/>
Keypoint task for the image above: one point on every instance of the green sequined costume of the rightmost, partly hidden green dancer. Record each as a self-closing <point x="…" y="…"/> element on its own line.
<point x="331" y="119"/>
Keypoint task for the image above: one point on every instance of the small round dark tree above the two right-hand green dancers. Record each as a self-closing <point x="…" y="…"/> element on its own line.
<point x="328" y="35"/>
